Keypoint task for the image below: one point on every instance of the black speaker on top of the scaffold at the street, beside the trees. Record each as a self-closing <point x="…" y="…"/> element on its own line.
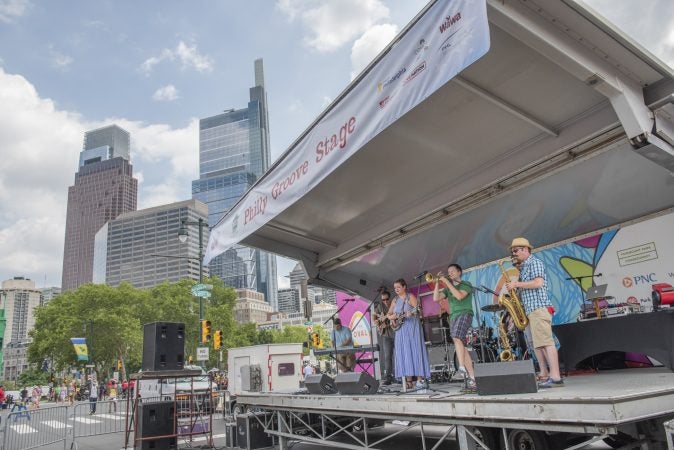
<point x="164" y="346"/>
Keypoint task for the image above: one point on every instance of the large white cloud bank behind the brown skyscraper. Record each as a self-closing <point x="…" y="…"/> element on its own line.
<point x="37" y="168"/>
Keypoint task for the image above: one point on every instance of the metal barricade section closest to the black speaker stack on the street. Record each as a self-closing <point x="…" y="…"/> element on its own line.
<point x="108" y="417"/>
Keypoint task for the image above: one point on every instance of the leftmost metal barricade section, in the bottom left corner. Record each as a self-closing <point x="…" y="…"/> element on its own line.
<point x="31" y="428"/>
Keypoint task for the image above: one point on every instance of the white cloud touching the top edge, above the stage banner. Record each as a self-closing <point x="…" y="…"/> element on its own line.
<point x="333" y="23"/>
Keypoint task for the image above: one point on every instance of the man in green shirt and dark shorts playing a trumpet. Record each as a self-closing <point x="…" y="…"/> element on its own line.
<point x="459" y="295"/>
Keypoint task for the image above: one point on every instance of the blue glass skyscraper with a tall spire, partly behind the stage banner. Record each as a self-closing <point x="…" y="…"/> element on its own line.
<point x="233" y="153"/>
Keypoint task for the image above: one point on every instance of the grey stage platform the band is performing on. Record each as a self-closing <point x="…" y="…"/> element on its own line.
<point x="593" y="403"/>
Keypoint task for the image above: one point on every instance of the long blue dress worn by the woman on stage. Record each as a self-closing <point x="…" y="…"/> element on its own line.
<point x="411" y="355"/>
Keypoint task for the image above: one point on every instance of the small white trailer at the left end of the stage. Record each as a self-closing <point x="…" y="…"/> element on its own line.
<point x="262" y="368"/>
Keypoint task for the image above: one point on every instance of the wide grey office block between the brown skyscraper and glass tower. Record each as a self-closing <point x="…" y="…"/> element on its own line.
<point x="142" y="247"/>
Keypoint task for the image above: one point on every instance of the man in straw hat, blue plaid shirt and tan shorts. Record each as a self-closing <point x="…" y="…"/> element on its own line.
<point x="533" y="292"/>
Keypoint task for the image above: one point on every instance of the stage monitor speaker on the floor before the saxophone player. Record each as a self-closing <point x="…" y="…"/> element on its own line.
<point x="515" y="377"/>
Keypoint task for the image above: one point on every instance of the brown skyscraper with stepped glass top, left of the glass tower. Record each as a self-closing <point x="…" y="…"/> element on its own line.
<point x="104" y="188"/>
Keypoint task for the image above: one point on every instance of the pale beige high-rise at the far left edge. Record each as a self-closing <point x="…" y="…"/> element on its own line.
<point x="19" y="297"/>
